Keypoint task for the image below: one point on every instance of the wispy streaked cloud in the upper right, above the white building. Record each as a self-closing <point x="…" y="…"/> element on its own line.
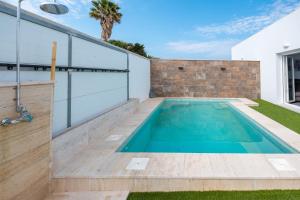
<point x="252" y="24"/>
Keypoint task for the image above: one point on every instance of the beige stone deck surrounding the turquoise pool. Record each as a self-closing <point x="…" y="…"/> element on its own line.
<point x="98" y="167"/>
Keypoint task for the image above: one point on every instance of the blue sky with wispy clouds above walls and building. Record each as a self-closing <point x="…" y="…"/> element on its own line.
<point x="185" y="29"/>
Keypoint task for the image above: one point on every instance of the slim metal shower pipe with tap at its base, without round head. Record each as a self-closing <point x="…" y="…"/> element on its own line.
<point x="24" y="116"/>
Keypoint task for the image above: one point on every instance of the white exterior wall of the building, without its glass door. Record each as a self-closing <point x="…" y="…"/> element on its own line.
<point x="267" y="47"/>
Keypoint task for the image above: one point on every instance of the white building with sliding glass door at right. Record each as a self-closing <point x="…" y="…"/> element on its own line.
<point x="277" y="47"/>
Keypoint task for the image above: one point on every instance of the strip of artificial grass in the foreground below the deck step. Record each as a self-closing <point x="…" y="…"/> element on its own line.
<point x="217" y="195"/>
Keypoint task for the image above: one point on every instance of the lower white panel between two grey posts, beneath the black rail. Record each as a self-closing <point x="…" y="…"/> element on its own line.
<point x="94" y="93"/>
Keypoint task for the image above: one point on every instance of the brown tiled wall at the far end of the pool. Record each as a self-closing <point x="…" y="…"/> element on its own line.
<point x="176" y="78"/>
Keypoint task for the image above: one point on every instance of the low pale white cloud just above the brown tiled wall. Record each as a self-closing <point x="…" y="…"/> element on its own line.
<point x="218" y="48"/>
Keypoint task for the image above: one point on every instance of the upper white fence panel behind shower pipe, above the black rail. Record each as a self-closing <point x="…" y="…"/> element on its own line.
<point x="36" y="42"/>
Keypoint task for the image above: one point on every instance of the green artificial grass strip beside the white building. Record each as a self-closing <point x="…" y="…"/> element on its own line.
<point x="282" y="115"/>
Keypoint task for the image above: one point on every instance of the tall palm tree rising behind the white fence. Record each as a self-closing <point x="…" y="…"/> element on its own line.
<point x="108" y="13"/>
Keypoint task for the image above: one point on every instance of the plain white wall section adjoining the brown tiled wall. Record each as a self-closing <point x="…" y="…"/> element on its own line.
<point x="139" y="77"/>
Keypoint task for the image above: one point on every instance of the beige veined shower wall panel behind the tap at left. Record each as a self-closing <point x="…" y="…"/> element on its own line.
<point x="25" y="147"/>
